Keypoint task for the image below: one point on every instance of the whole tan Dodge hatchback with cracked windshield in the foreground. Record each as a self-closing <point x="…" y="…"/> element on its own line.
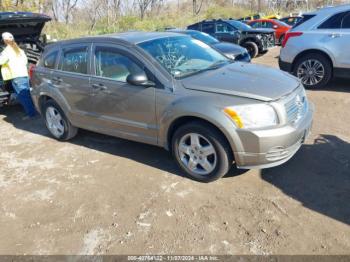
<point x="175" y="92"/>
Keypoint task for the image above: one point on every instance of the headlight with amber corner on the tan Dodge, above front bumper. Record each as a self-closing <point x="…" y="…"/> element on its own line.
<point x="252" y="116"/>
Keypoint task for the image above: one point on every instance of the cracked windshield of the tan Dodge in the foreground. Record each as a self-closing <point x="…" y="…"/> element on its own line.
<point x="184" y="56"/>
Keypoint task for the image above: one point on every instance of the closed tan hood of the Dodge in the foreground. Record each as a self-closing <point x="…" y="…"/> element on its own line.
<point x="244" y="80"/>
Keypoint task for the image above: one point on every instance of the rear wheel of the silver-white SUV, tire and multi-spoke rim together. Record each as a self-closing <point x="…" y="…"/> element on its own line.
<point x="299" y="69"/>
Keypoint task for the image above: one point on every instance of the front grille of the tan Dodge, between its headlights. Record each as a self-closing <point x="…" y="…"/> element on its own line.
<point x="296" y="106"/>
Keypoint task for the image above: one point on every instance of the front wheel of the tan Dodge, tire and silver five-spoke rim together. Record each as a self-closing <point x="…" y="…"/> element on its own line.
<point x="210" y="140"/>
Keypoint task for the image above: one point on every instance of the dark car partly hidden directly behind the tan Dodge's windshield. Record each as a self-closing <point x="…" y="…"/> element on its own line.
<point x="232" y="51"/>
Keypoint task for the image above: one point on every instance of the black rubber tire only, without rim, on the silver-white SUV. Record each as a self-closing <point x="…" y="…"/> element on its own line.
<point x="326" y="63"/>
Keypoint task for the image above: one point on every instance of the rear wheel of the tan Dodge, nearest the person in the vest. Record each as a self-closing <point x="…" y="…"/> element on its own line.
<point x="67" y="130"/>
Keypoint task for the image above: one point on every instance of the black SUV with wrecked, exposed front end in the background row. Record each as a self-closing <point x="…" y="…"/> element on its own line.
<point x="256" y="41"/>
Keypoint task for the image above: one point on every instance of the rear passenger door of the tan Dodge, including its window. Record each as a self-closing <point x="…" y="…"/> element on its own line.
<point x="73" y="81"/>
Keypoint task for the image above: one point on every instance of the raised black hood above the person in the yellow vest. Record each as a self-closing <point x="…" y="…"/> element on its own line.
<point x="23" y="25"/>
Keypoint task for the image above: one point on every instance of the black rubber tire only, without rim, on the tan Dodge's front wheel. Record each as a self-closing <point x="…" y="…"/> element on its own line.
<point x="223" y="150"/>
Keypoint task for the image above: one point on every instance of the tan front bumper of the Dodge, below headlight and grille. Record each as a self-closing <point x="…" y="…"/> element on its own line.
<point x="273" y="147"/>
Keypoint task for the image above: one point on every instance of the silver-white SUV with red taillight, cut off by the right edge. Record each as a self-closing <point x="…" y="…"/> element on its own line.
<point x="318" y="47"/>
